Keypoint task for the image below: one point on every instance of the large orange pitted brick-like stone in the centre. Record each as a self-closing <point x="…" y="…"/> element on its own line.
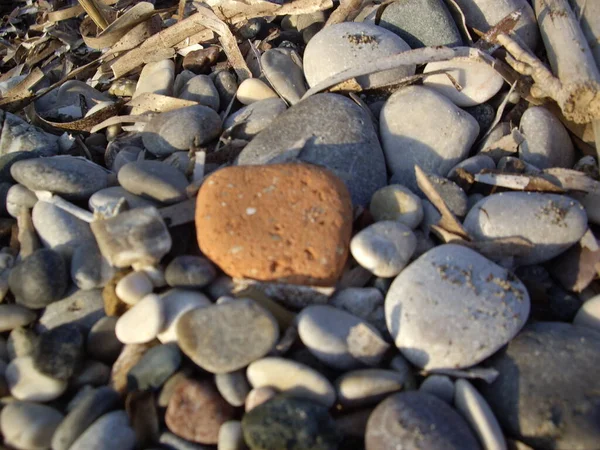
<point x="284" y="222"/>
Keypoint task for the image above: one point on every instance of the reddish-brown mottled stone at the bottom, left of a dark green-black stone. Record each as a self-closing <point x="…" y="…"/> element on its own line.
<point x="196" y="411"/>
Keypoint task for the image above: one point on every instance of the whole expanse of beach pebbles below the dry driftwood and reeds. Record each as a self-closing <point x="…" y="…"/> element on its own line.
<point x="409" y="267"/>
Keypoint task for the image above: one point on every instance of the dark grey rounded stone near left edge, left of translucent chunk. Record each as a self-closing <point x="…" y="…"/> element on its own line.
<point x="39" y="279"/>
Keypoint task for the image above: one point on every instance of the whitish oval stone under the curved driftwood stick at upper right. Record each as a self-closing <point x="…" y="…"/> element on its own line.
<point x="478" y="80"/>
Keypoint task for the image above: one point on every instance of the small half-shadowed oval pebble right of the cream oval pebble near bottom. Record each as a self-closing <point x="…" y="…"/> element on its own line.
<point x="367" y="386"/>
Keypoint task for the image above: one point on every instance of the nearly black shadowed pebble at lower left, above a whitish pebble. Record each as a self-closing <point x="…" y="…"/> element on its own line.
<point x="60" y="352"/>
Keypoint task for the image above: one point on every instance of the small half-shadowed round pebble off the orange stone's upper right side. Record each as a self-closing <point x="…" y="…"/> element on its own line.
<point x="396" y="202"/>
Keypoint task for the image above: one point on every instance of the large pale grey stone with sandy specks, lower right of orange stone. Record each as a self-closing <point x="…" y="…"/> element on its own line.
<point x="452" y="308"/>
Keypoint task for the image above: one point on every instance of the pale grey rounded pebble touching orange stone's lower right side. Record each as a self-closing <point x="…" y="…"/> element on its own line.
<point x="384" y="248"/>
